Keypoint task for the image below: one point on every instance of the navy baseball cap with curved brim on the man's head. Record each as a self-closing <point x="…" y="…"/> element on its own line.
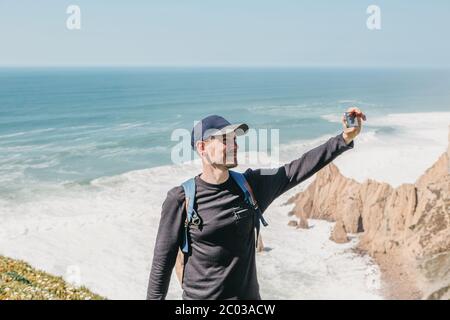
<point x="214" y="126"/>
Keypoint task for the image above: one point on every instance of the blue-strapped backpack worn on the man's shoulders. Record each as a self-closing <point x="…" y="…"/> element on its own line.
<point x="193" y="218"/>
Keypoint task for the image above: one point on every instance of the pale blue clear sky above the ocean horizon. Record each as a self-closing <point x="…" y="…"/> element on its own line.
<point x="208" y="32"/>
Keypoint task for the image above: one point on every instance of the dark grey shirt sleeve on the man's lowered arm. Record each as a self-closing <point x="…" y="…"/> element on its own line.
<point x="168" y="241"/>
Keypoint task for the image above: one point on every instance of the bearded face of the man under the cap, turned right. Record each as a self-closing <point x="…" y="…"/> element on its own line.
<point x="221" y="150"/>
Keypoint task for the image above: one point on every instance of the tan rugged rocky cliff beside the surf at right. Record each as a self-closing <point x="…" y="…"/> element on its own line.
<point x="406" y="229"/>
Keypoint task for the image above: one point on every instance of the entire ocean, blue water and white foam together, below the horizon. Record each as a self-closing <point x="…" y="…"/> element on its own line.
<point x="85" y="161"/>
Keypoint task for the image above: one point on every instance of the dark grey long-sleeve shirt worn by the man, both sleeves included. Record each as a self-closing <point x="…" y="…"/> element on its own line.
<point x="222" y="263"/>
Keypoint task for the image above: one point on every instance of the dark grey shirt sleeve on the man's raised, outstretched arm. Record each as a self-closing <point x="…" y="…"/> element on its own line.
<point x="268" y="184"/>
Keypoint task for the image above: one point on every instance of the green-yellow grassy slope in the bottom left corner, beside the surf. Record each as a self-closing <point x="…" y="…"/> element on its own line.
<point x="20" y="281"/>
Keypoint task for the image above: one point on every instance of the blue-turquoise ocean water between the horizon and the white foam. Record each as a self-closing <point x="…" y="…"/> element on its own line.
<point x="63" y="126"/>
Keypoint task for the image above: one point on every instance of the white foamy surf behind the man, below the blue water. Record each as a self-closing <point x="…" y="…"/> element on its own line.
<point x="103" y="235"/>
